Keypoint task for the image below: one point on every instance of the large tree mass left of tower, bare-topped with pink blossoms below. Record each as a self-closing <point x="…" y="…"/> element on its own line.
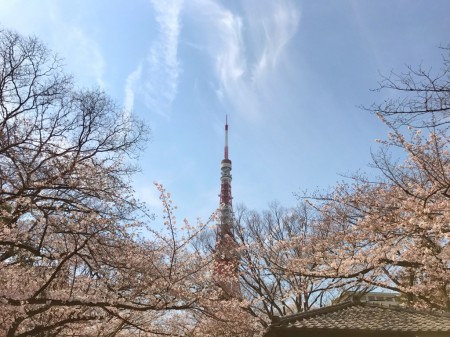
<point x="76" y="257"/>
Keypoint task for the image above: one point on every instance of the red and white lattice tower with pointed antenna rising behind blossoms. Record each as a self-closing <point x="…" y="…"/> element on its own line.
<point x="227" y="259"/>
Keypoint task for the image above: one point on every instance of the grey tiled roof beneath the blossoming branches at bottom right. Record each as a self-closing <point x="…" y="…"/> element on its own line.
<point x="366" y="317"/>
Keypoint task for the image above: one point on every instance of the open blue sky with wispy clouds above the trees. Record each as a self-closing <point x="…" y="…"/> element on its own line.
<point x="289" y="74"/>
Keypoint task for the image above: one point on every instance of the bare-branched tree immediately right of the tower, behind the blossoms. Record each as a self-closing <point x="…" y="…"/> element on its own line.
<point x="268" y="288"/>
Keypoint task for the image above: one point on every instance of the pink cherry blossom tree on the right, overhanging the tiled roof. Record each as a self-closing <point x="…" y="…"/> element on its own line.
<point x="393" y="231"/>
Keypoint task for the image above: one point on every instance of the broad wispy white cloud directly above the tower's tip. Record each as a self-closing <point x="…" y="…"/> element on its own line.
<point x="247" y="48"/>
